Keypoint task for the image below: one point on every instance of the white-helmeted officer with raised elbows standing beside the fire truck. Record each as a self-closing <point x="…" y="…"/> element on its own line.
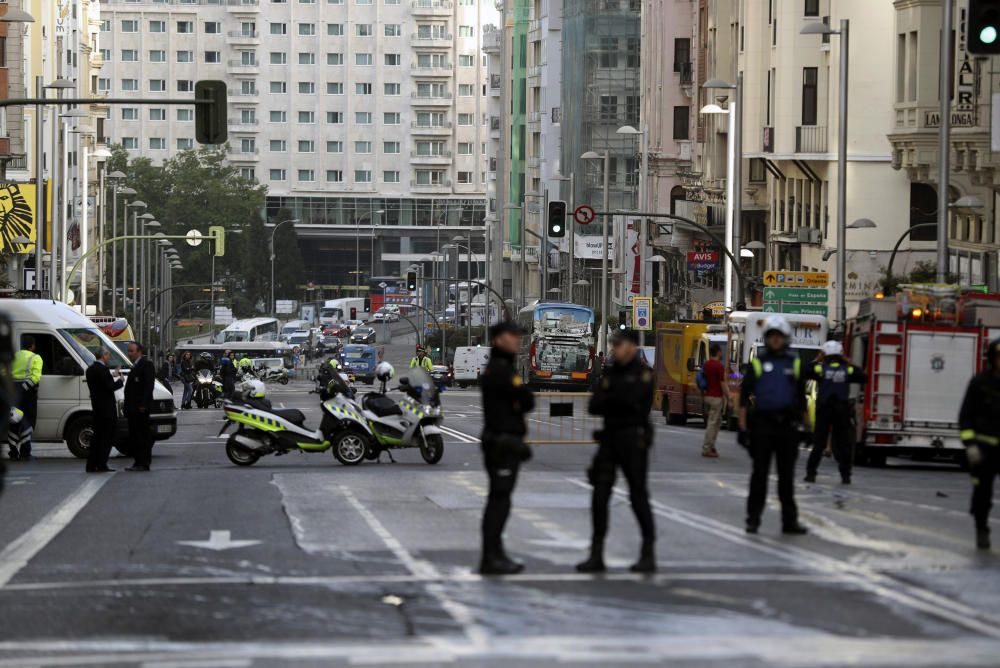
<point x="833" y="377"/>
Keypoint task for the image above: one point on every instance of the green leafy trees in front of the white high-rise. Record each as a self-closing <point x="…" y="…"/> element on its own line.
<point x="195" y="189"/>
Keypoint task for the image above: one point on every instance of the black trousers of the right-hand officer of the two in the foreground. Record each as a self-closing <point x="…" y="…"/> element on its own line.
<point x="627" y="449"/>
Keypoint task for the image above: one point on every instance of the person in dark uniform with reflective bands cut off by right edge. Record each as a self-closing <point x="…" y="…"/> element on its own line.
<point x="979" y="421"/>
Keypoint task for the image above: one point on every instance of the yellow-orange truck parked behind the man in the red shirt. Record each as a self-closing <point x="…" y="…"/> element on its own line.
<point x="681" y="350"/>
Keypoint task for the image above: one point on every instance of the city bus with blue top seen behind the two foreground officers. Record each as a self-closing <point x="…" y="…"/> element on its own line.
<point x="559" y="347"/>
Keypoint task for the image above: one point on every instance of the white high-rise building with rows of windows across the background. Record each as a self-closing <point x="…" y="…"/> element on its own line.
<point x="358" y="115"/>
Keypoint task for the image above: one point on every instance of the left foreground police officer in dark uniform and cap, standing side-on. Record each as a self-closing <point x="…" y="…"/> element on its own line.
<point x="505" y="401"/>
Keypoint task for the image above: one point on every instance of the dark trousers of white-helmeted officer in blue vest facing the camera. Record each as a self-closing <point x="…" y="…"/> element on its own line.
<point x="773" y="436"/>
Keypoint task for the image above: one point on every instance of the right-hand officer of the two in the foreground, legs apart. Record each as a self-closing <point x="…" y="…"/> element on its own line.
<point x="624" y="396"/>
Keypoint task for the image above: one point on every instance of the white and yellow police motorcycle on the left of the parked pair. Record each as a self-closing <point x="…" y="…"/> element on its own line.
<point x="264" y="430"/>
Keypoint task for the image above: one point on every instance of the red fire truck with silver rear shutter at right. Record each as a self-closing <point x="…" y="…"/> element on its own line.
<point x="919" y="349"/>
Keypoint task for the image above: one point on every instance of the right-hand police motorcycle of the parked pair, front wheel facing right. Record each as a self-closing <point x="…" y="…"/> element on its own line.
<point x="411" y="422"/>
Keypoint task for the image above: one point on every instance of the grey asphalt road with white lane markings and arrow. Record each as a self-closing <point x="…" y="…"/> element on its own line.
<point x="326" y="565"/>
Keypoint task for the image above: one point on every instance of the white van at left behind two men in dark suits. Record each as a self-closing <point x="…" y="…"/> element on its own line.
<point x="66" y="342"/>
